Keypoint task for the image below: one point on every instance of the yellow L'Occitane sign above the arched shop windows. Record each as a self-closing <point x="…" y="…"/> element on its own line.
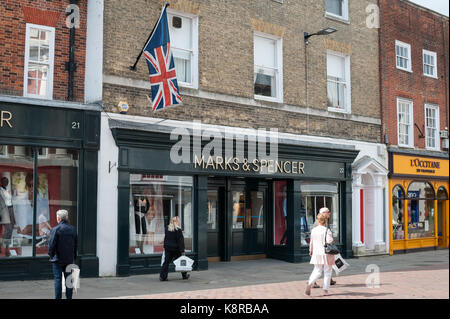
<point x="422" y="166"/>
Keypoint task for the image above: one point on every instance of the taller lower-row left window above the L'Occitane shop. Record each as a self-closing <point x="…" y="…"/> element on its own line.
<point x="405" y="122"/>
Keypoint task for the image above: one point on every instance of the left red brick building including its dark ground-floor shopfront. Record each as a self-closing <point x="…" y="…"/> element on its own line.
<point x="49" y="137"/>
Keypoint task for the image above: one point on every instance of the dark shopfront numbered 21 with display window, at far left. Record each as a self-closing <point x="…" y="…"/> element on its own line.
<point x="48" y="161"/>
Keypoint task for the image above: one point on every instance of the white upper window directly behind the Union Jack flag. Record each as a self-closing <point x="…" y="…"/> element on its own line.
<point x="183" y="30"/>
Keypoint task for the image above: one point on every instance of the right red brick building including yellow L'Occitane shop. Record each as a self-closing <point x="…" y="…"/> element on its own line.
<point x="414" y="70"/>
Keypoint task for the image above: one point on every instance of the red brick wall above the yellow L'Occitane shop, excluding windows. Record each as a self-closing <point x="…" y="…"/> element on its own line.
<point x="421" y="29"/>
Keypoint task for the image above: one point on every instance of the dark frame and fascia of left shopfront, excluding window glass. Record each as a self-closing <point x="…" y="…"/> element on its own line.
<point x="38" y="126"/>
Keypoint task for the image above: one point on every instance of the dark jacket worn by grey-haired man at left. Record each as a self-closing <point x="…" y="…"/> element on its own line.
<point x="63" y="244"/>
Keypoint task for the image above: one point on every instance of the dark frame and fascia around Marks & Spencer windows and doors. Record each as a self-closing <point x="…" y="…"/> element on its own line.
<point x="147" y="151"/>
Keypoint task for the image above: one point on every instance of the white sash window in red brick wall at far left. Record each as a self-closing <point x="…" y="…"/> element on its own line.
<point x="39" y="55"/>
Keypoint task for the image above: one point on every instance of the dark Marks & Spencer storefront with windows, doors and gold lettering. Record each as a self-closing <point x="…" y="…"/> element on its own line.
<point x="234" y="206"/>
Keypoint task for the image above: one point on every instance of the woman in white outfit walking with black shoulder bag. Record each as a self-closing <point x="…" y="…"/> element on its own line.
<point x="320" y="260"/>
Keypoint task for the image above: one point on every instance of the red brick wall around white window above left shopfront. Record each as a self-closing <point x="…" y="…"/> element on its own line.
<point x="14" y="15"/>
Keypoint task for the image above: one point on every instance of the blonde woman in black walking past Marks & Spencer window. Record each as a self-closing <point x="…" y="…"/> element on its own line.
<point x="173" y="247"/>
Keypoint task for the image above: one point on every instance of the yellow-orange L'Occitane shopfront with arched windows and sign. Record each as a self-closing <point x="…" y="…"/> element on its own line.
<point x="418" y="188"/>
